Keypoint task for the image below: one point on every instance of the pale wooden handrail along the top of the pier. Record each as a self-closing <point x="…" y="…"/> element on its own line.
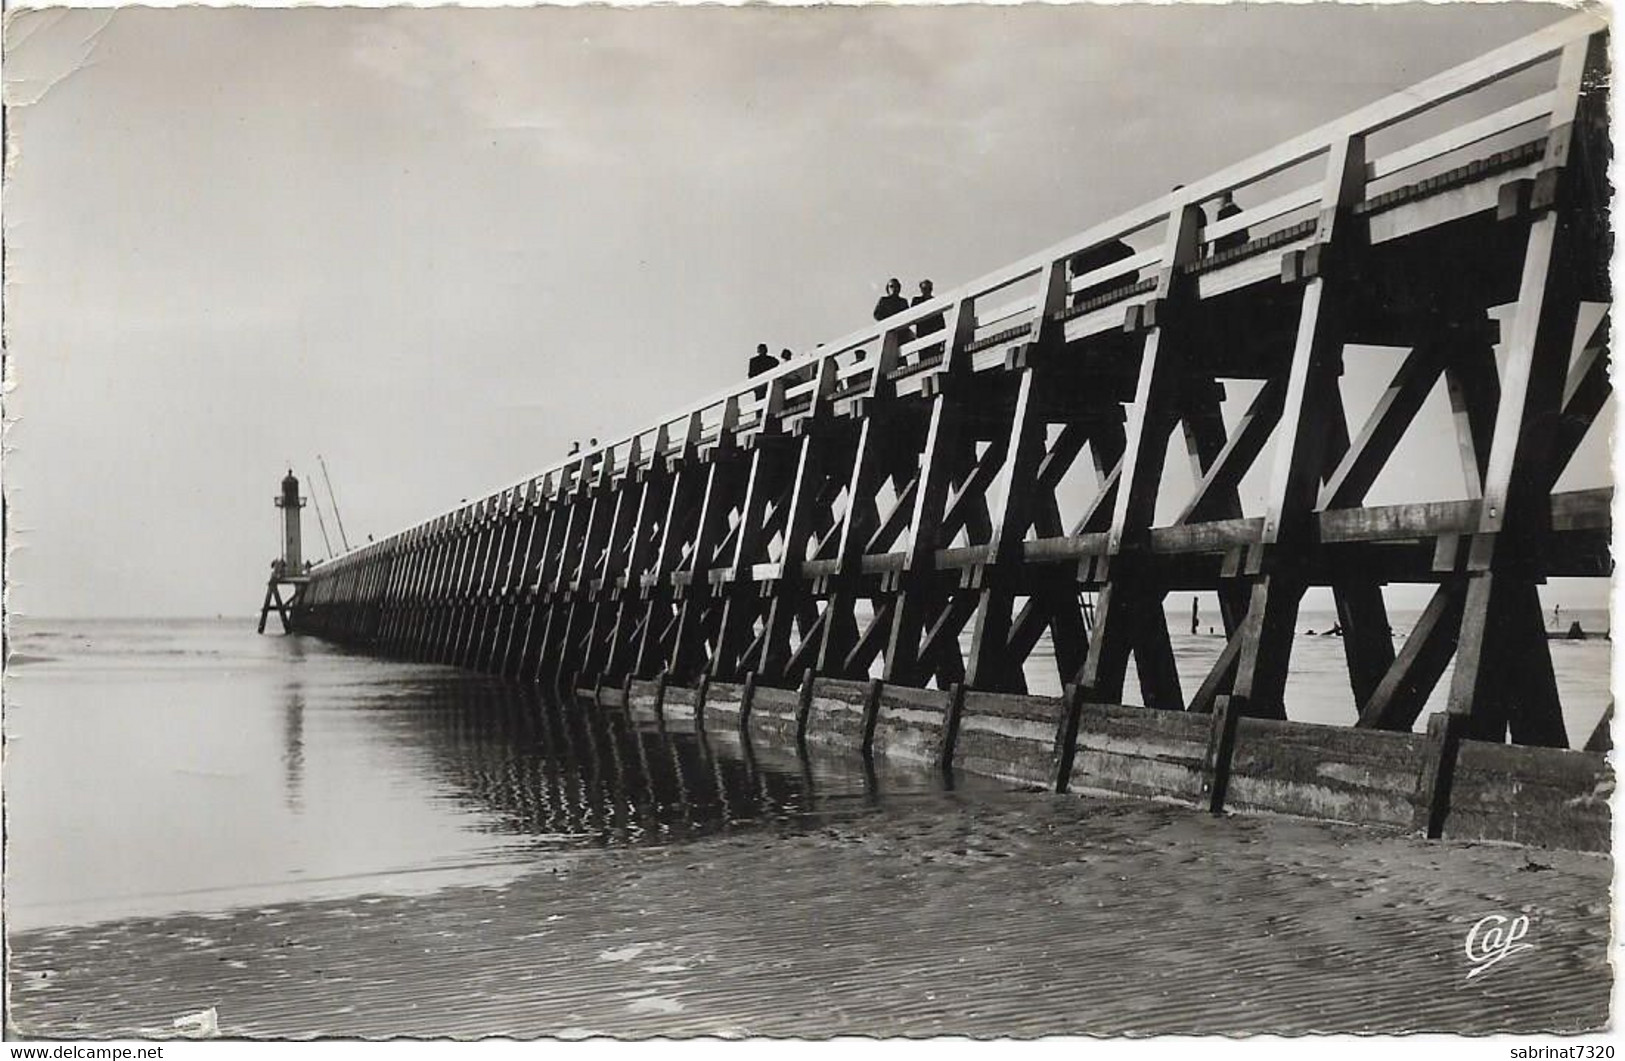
<point x="1501" y="64"/>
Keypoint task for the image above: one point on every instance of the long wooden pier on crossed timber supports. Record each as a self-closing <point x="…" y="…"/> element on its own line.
<point x="867" y="545"/>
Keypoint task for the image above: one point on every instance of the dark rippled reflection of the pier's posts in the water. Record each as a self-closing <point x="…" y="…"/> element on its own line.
<point x="592" y="774"/>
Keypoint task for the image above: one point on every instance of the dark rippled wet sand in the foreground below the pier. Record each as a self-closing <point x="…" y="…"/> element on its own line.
<point x="1007" y="916"/>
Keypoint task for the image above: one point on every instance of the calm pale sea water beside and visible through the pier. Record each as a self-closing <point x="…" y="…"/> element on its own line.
<point x="158" y="768"/>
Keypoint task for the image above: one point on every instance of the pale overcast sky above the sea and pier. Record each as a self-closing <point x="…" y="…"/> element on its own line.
<point x="438" y="245"/>
